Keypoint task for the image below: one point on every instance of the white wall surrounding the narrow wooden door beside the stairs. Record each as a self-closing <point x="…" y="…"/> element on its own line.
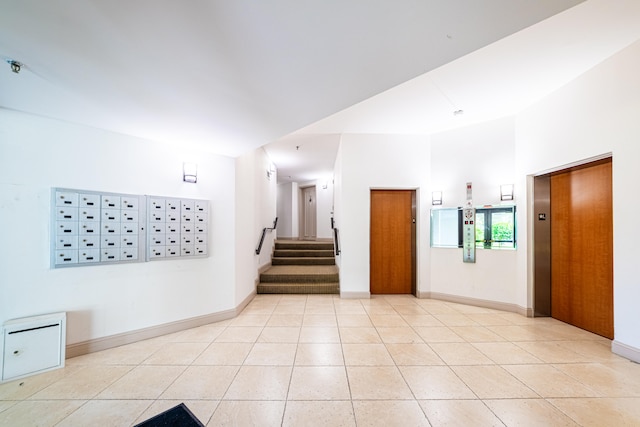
<point x="368" y="162"/>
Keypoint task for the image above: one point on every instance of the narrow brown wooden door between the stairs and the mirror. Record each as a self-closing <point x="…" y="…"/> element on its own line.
<point x="392" y="251"/>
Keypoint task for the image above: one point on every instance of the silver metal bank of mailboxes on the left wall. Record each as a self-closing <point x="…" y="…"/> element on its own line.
<point x="90" y="228"/>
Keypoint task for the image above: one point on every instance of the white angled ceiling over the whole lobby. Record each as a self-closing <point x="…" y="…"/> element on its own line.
<point x="229" y="76"/>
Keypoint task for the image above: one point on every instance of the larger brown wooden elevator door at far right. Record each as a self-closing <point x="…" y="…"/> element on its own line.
<point x="582" y="248"/>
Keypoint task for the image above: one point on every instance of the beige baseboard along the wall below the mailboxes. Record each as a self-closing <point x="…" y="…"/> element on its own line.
<point x="104" y="343"/>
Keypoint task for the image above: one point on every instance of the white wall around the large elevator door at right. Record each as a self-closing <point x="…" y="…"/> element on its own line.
<point x="595" y="114"/>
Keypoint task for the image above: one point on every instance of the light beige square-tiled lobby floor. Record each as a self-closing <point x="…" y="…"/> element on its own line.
<point x="296" y="360"/>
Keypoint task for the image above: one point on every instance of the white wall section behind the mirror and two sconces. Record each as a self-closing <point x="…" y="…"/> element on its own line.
<point x="482" y="154"/>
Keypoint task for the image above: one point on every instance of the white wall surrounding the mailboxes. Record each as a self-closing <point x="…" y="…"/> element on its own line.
<point x="37" y="154"/>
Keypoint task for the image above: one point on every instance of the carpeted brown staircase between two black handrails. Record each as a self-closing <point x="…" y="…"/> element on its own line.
<point x="301" y="267"/>
